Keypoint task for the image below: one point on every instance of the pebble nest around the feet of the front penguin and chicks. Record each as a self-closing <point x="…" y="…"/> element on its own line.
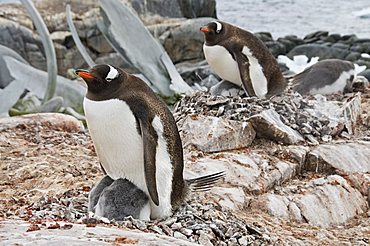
<point x="197" y="221"/>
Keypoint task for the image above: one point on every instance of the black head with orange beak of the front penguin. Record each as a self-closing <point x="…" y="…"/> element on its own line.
<point x="102" y="79"/>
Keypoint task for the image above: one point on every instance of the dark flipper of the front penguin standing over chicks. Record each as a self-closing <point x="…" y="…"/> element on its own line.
<point x="149" y="147"/>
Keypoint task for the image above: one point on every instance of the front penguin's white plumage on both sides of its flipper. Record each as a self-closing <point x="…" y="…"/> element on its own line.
<point x="119" y="148"/>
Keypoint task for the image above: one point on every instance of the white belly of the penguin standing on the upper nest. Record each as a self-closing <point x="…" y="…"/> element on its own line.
<point x="222" y="63"/>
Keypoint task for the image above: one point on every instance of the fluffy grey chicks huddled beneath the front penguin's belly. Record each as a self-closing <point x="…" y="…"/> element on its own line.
<point x="122" y="199"/>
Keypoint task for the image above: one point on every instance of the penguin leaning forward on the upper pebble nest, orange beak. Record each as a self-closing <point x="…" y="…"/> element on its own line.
<point x="240" y="57"/>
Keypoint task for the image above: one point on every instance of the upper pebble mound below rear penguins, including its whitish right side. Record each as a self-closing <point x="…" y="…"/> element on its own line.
<point x="317" y="118"/>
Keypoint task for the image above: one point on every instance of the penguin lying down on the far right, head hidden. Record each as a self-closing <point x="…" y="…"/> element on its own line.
<point x="325" y="77"/>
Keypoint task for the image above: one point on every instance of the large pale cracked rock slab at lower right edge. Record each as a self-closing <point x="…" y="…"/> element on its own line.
<point x="321" y="202"/>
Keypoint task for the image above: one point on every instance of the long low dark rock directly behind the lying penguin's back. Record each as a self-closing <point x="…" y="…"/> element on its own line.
<point x="324" y="52"/>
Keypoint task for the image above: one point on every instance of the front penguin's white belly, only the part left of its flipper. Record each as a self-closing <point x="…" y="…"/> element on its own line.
<point x="119" y="147"/>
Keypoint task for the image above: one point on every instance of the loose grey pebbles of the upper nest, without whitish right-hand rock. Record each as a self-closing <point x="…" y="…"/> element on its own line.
<point x="292" y="108"/>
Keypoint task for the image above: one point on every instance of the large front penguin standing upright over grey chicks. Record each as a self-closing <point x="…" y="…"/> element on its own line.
<point x="136" y="137"/>
